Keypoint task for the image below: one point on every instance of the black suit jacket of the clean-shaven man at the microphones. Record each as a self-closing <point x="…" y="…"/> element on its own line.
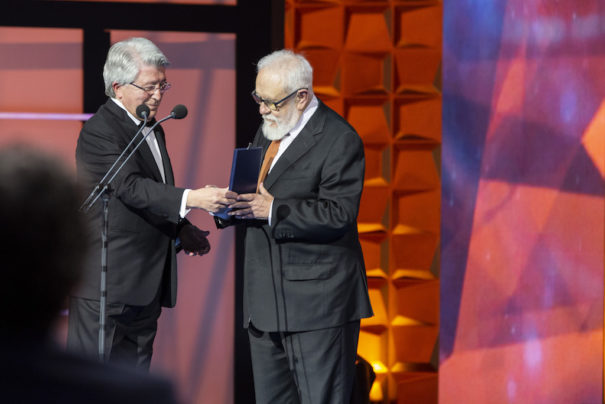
<point x="143" y="213"/>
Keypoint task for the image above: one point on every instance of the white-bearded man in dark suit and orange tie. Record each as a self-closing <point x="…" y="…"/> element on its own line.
<point x="305" y="287"/>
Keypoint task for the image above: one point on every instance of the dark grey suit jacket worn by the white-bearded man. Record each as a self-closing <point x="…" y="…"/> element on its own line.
<point x="306" y="270"/>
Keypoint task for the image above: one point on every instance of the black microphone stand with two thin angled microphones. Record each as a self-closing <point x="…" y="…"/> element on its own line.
<point x="103" y="189"/>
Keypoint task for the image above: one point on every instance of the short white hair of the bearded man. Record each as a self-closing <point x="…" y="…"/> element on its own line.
<point x="295" y="68"/>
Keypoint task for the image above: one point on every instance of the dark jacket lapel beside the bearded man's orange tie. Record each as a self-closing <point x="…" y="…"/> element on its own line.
<point x="299" y="146"/>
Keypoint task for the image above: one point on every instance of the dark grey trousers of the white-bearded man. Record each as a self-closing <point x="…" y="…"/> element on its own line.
<point x="310" y="367"/>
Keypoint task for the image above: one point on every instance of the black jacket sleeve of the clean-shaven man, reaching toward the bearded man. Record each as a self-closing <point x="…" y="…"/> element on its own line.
<point x="98" y="148"/>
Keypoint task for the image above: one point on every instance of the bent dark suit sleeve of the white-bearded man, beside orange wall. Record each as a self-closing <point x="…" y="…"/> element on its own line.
<point x="333" y="212"/>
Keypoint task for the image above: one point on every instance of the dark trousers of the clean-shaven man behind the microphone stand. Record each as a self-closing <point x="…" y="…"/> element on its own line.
<point x="129" y="330"/>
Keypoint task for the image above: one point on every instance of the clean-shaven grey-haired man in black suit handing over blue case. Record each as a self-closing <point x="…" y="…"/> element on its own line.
<point x="146" y="213"/>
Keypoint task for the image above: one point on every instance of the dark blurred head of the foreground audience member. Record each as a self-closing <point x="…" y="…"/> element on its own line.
<point x="42" y="239"/>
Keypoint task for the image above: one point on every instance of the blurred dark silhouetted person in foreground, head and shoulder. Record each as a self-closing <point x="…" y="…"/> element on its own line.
<point x="42" y="247"/>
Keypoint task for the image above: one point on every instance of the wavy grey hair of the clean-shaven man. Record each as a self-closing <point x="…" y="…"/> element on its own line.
<point x="125" y="59"/>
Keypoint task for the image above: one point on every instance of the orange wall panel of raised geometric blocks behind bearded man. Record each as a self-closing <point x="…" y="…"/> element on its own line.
<point x="378" y="65"/>
